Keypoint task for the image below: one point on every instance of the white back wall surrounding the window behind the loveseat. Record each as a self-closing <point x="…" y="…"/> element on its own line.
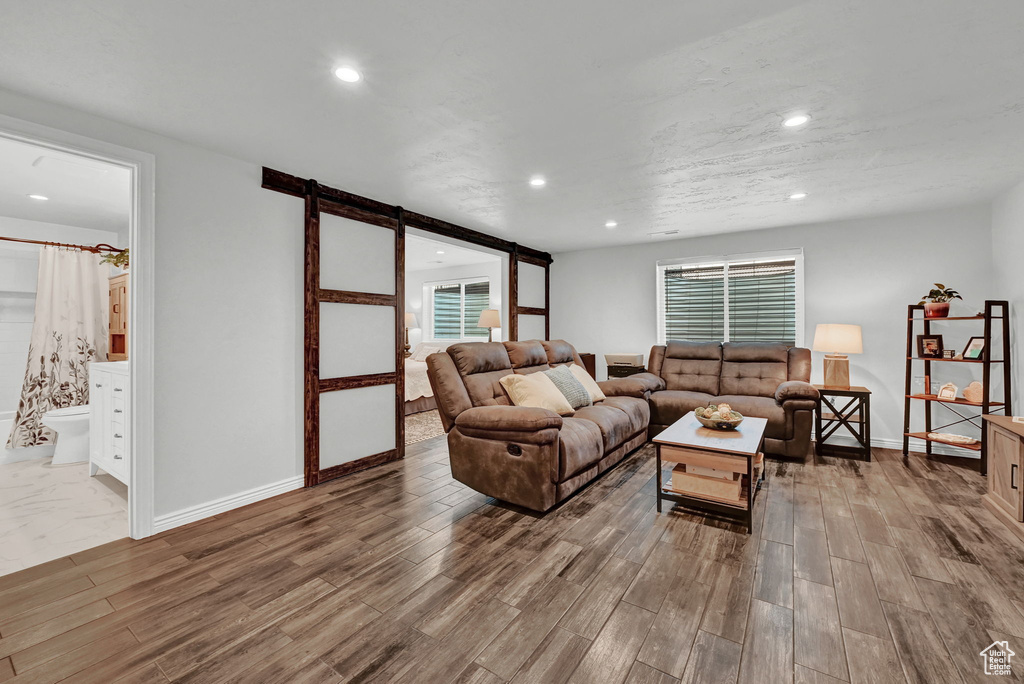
<point x="862" y="272"/>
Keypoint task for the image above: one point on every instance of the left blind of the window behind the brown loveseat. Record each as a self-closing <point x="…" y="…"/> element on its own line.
<point x="695" y="304"/>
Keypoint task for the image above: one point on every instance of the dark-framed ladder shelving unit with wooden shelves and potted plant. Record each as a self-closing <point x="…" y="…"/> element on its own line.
<point x="997" y="312"/>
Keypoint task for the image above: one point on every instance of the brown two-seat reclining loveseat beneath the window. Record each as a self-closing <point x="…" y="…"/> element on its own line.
<point x="766" y="380"/>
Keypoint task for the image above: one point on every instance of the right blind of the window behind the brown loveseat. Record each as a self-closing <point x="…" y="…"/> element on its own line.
<point x="763" y="303"/>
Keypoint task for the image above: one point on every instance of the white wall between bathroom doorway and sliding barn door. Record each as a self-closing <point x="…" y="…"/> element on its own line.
<point x="229" y="331"/>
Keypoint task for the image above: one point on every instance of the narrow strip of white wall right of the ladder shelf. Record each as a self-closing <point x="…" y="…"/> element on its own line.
<point x="1008" y="261"/>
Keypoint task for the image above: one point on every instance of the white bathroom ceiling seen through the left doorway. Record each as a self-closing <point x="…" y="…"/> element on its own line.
<point x="82" y="193"/>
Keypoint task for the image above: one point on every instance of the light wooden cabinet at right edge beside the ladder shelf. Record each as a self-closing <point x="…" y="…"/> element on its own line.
<point x="1006" y="460"/>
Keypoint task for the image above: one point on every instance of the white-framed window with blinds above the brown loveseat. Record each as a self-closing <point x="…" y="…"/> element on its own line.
<point x="741" y="298"/>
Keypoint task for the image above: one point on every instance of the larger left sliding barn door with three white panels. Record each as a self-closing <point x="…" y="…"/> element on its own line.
<point x="355" y="303"/>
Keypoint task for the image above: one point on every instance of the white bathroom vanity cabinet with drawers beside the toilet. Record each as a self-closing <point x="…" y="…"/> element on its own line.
<point x="109" y="419"/>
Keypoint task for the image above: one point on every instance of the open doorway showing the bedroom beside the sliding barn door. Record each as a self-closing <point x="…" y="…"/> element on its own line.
<point x="455" y="292"/>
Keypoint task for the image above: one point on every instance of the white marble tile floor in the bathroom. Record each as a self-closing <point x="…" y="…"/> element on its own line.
<point x="49" y="512"/>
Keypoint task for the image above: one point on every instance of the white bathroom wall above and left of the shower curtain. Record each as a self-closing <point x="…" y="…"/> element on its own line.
<point x="19" y="266"/>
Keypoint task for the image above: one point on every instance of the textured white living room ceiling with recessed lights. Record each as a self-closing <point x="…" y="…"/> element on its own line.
<point x="662" y="116"/>
